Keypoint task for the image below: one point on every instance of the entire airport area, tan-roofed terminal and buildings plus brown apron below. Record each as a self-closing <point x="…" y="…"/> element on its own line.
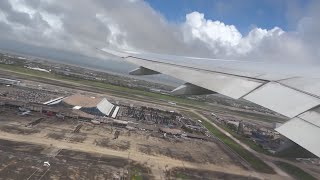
<point x="50" y="132"/>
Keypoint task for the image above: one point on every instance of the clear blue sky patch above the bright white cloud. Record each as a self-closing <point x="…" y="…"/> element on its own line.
<point x="244" y="14"/>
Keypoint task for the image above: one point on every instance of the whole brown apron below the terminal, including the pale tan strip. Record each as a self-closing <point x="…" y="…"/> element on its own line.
<point x="93" y="153"/>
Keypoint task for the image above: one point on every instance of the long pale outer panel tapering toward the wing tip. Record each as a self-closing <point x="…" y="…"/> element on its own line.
<point x="228" y="85"/>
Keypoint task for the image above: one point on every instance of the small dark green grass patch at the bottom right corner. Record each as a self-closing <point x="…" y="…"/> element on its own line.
<point x="294" y="171"/>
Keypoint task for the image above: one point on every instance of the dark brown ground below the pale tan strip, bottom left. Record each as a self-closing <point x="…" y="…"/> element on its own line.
<point x="25" y="161"/>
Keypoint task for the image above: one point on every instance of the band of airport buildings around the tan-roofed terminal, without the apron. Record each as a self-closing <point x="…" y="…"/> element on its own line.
<point x="99" y="110"/>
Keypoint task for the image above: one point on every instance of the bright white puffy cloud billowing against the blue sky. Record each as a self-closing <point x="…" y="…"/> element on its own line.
<point x="224" y="39"/>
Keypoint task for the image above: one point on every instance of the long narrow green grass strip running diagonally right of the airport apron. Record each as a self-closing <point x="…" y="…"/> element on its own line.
<point x="254" y="161"/>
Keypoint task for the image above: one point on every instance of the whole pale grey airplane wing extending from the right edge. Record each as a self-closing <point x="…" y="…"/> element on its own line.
<point x="293" y="91"/>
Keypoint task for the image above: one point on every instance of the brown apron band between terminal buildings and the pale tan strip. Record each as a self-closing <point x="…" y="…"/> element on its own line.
<point x="138" y="141"/>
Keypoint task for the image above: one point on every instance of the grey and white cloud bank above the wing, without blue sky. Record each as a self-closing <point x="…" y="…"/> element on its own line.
<point x="81" y="25"/>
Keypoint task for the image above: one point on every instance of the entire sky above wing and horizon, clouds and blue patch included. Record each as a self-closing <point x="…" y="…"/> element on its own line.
<point x="269" y="30"/>
